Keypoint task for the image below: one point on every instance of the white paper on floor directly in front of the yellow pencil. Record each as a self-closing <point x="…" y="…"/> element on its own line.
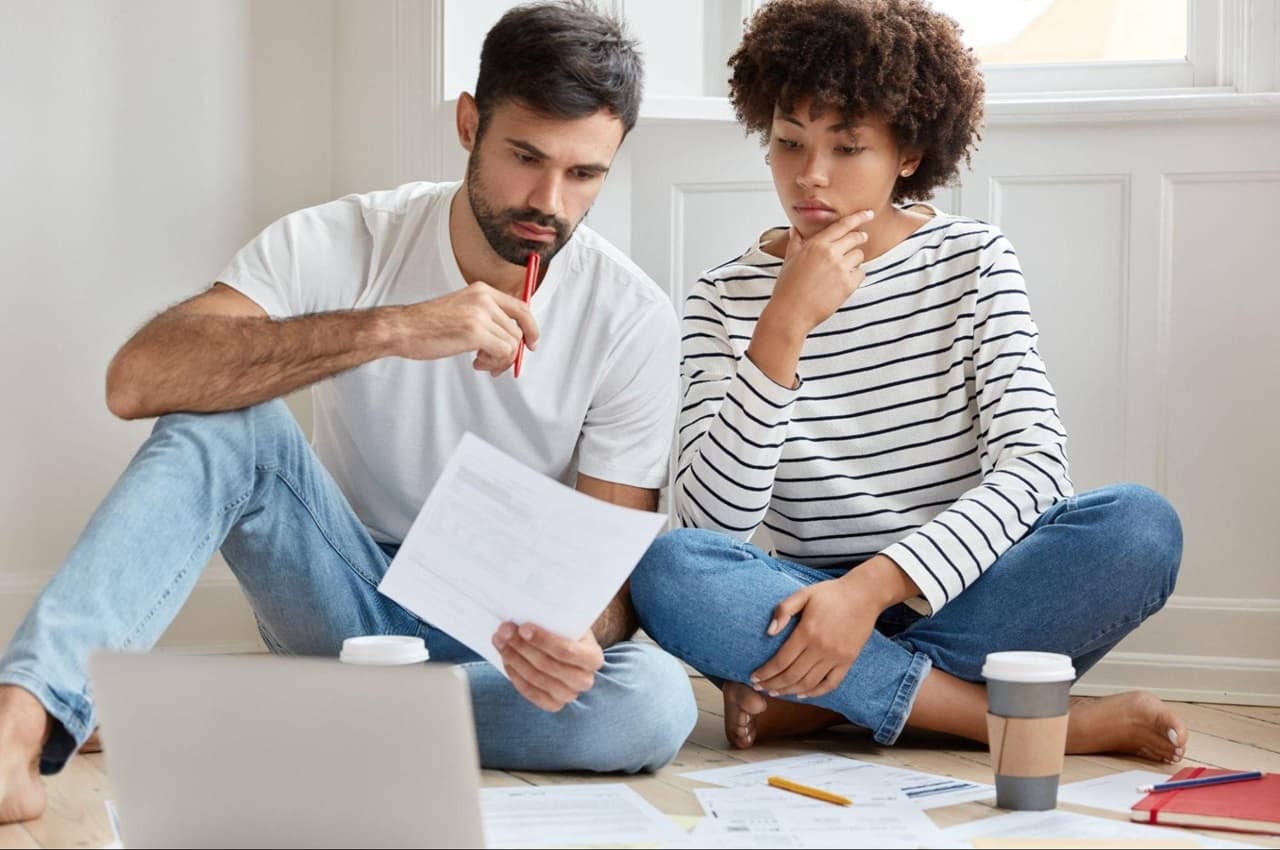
<point x="769" y="817"/>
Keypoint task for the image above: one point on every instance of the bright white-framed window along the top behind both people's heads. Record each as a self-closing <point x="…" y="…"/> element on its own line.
<point x="1031" y="49"/>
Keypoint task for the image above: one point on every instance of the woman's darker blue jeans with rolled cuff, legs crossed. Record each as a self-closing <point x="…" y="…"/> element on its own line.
<point x="1085" y="577"/>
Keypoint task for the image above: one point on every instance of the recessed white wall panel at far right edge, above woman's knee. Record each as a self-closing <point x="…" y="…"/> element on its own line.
<point x="1222" y="454"/>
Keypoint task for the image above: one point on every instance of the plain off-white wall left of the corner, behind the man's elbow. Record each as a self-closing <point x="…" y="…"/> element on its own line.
<point x="141" y="144"/>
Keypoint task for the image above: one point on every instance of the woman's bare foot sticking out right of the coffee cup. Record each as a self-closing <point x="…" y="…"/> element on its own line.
<point x="1135" y="723"/>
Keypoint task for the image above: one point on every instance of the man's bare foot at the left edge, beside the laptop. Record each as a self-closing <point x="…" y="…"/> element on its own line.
<point x="24" y="730"/>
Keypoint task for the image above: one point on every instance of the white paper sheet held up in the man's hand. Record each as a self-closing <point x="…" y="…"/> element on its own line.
<point x="497" y="542"/>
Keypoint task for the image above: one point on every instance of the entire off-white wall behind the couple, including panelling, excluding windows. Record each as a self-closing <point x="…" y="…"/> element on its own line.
<point x="144" y="141"/>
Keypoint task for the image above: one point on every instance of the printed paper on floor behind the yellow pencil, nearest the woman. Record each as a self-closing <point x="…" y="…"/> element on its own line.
<point x="844" y="775"/>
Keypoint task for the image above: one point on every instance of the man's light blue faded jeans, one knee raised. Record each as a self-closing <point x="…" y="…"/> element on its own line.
<point x="249" y="482"/>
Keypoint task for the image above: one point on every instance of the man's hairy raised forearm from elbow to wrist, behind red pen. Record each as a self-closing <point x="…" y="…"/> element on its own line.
<point x="198" y="363"/>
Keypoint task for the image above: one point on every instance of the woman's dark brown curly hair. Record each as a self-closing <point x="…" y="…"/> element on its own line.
<point x="897" y="60"/>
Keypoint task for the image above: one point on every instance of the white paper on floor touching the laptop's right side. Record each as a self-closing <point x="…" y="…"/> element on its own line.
<point x="557" y="816"/>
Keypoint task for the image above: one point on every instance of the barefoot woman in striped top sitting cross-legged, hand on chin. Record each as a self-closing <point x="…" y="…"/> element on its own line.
<point x="866" y="385"/>
